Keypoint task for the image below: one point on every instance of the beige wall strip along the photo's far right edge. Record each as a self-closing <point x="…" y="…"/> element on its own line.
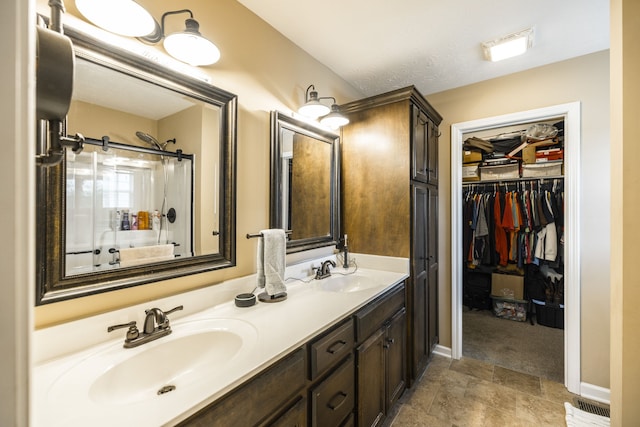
<point x="625" y="197"/>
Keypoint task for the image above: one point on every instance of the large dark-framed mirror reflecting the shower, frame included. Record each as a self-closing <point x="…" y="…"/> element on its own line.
<point x="151" y="196"/>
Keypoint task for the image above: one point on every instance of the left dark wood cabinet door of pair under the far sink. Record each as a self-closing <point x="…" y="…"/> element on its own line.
<point x="370" y="366"/>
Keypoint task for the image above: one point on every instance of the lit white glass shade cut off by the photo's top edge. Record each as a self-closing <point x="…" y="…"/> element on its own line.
<point x="124" y="17"/>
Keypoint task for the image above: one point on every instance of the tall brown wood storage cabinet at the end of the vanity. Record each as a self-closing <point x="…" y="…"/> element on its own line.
<point x="389" y="199"/>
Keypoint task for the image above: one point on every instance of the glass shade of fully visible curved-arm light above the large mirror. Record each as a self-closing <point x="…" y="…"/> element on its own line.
<point x="191" y="48"/>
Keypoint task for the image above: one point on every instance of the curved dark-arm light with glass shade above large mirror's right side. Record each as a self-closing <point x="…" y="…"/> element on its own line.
<point x="187" y="46"/>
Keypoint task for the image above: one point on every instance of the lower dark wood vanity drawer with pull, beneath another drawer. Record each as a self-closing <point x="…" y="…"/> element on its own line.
<point x="334" y="398"/>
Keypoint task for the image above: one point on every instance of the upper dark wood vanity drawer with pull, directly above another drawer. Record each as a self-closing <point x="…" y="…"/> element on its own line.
<point x="330" y="349"/>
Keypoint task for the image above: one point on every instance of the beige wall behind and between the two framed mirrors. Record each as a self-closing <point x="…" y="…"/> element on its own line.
<point x="267" y="72"/>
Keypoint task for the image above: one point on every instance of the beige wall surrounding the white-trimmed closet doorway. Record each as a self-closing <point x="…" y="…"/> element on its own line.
<point x="584" y="79"/>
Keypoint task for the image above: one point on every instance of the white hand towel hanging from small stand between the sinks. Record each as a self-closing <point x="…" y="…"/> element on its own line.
<point x="271" y="261"/>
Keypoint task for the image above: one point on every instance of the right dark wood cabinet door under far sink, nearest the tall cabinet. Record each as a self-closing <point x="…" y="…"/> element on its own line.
<point x="395" y="345"/>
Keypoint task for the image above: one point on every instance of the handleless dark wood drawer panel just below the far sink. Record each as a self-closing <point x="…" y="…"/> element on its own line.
<point x="371" y="318"/>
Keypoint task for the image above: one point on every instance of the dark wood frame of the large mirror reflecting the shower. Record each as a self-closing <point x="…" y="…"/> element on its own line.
<point x="52" y="284"/>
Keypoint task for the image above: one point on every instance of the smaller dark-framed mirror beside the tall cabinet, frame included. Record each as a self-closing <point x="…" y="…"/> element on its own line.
<point x="305" y="183"/>
